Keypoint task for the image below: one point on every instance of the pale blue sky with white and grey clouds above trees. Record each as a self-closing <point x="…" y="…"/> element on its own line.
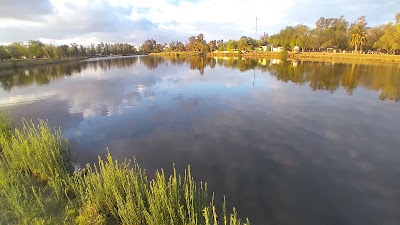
<point x="133" y="21"/>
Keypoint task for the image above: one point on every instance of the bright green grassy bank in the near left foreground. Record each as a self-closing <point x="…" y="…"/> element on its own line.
<point x="39" y="185"/>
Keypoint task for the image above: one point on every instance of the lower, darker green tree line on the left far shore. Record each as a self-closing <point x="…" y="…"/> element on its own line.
<point x="35" y="49"/>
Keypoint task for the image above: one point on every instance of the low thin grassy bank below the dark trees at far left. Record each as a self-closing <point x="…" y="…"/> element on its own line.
<point x="7" y="64"/>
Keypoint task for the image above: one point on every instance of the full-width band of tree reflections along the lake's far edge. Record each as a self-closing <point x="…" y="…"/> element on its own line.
<point x="382" y="78"/>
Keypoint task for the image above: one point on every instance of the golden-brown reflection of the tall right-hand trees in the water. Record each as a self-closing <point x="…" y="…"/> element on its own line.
<point x="330" y="76"/>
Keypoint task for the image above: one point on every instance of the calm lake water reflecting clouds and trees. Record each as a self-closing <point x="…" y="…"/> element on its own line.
<point x="286" y="142"/>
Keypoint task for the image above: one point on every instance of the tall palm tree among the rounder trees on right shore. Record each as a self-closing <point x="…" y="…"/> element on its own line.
<point x="358" y="34"/>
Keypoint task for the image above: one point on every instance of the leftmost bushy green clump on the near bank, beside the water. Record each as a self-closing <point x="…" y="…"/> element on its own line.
<point x="37" y="150"/>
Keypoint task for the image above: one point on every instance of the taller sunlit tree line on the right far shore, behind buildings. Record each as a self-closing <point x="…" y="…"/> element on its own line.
<point x="335" y="34"/>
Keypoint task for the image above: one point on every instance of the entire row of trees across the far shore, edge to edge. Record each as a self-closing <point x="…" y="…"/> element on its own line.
<point x="329" y="35"/>
